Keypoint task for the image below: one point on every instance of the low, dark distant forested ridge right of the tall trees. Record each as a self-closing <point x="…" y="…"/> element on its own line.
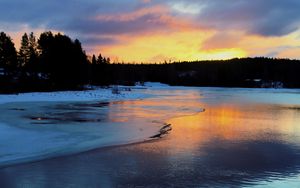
<point x="244" y="72"/>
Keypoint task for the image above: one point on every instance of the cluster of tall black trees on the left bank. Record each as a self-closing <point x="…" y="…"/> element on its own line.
<point x="51" y="62"/>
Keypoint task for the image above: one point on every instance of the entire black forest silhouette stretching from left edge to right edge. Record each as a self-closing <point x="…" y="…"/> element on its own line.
<point x="56" y="62"/>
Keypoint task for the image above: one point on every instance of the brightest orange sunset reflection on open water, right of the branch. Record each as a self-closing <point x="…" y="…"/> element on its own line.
<point x="215" y="122"/>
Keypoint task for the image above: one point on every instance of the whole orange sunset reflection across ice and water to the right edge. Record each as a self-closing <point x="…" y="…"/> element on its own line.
<point x="225" y="121"/>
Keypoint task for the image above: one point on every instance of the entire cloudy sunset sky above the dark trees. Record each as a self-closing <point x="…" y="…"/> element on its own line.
<point x="159" y="30"/>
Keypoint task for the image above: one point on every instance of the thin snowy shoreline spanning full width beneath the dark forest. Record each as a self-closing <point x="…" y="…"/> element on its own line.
<point x="105" y="94"/>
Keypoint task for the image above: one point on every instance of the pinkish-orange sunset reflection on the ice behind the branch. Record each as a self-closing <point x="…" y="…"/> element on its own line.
<point x="155" y="110"/>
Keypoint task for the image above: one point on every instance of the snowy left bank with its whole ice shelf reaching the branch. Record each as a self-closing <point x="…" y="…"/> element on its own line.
<point x="36" y="126"/>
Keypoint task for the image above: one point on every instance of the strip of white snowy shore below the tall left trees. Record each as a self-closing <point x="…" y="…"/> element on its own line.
<point x="95" y="94"/>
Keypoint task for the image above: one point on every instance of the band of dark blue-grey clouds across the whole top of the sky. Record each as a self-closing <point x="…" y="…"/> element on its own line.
<point x="267" y="18"/>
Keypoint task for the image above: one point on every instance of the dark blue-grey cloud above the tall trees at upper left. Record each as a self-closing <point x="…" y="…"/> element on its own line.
<point x="71" y="16"/>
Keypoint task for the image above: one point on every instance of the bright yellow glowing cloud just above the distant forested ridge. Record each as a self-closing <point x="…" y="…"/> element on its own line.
<point x="174" y="46"/>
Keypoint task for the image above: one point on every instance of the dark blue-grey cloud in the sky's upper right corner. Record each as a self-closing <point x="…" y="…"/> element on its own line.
<point x="267" y="18"/>
